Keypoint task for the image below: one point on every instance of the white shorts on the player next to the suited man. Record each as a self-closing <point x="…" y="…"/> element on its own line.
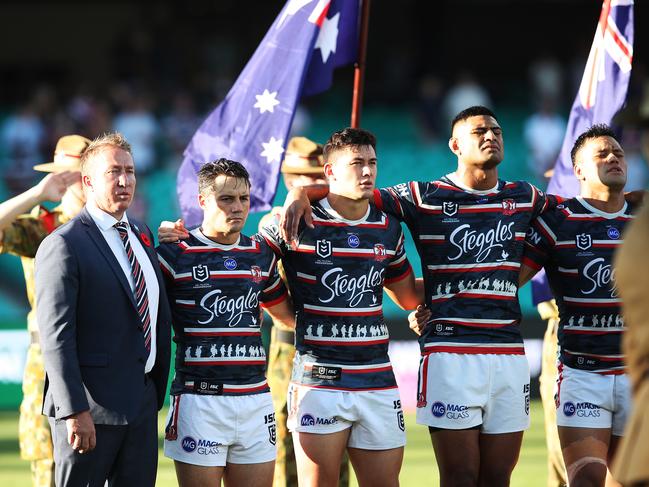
<point x="215" y="430"/>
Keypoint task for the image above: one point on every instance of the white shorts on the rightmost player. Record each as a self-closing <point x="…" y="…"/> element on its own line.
<point x="590" y="400"/>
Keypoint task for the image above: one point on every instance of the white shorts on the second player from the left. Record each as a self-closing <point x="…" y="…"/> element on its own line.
<point x="375" y="417"/>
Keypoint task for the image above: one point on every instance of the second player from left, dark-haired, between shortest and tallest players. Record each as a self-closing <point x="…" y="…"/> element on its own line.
<point x="343" y="393"/>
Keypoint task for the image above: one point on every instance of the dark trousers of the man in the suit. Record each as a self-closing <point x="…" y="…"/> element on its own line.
<point x="126" y="455"/>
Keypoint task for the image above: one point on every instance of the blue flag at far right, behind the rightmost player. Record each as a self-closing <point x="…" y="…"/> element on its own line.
<point x="601" y="95"/>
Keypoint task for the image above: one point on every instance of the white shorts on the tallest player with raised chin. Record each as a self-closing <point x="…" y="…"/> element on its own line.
<point x="463" y="391"/>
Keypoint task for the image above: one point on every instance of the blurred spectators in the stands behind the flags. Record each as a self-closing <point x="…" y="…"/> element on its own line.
<point x="160" y="126"/>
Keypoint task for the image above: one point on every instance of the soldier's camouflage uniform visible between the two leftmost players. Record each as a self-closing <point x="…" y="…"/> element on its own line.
<point x="280" y="366"/>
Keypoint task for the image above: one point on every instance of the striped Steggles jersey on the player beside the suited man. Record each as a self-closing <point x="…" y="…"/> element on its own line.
<point x="215" y="292"/>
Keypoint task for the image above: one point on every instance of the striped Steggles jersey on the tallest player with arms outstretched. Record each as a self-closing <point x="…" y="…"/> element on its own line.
<point x="471" y="245"/>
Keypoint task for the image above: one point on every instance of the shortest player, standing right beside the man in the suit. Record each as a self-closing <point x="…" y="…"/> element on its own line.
<point x="221" y="422"/>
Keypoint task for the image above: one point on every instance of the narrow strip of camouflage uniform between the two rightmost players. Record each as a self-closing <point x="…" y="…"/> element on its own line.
<point x="557" y="476"/>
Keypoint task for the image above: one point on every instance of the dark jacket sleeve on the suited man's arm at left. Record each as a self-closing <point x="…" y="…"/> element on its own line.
<point x="57" y="290"/>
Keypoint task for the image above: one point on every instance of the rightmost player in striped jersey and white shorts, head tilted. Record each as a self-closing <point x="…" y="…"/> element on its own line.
<point x="575" y="243"/>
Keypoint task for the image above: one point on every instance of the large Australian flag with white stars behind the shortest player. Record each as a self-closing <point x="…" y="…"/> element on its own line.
<point x="307" y="41"/>
